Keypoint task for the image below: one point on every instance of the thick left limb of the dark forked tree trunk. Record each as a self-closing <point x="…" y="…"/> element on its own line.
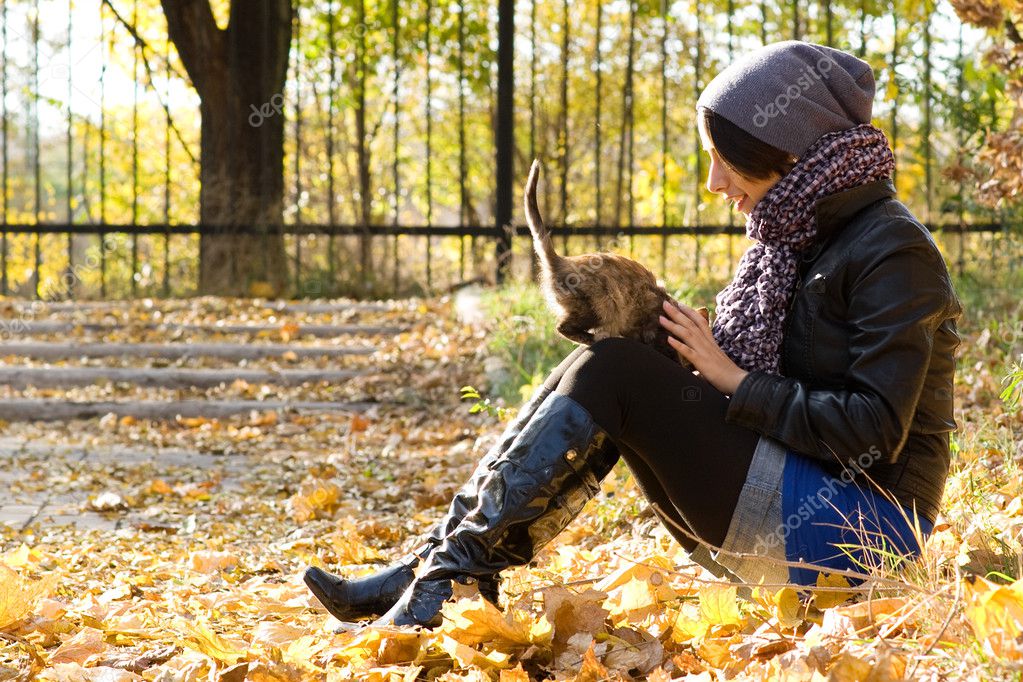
<point x="194" y="30"/>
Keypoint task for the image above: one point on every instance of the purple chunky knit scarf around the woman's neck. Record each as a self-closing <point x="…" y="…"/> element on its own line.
<point x="751" y="310"/>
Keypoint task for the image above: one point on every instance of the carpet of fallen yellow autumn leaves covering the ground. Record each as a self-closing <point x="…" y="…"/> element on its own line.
<point x="196" y="572"/>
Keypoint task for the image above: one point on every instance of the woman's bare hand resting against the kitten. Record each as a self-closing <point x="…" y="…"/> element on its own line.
<point x="690" y="335"/>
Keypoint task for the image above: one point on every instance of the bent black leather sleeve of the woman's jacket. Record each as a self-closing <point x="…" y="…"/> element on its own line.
<point x="896" y="305"/>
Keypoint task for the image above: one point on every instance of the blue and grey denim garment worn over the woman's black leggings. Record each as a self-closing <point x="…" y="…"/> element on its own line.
<point x="792" y="510"/>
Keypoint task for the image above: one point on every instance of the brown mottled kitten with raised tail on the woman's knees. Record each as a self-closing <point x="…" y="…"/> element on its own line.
<point x="597" y="296"/>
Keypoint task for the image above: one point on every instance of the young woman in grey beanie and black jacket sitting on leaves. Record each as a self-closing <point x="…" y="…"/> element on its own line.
<point x="816" y="427"/>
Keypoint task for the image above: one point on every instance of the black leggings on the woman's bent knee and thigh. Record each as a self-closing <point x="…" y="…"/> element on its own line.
<point x="670" y="426"/>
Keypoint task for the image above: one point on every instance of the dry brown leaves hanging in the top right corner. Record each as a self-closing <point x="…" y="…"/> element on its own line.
<point x="1001" y="162"/>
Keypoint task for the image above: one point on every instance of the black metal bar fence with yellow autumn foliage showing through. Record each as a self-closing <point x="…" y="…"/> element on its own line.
<point x="101" y="134"/>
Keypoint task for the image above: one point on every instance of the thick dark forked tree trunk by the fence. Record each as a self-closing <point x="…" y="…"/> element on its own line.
<point x="239" y="73"/>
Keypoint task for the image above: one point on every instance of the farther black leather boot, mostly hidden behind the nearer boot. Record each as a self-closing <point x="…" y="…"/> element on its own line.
<point x="352" y="600"/>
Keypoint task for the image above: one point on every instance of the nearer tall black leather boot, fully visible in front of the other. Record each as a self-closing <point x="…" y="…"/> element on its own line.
<point x="535" y="491"/>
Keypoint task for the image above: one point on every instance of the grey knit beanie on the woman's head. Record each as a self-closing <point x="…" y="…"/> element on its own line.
<point x="789" y="95"/>
